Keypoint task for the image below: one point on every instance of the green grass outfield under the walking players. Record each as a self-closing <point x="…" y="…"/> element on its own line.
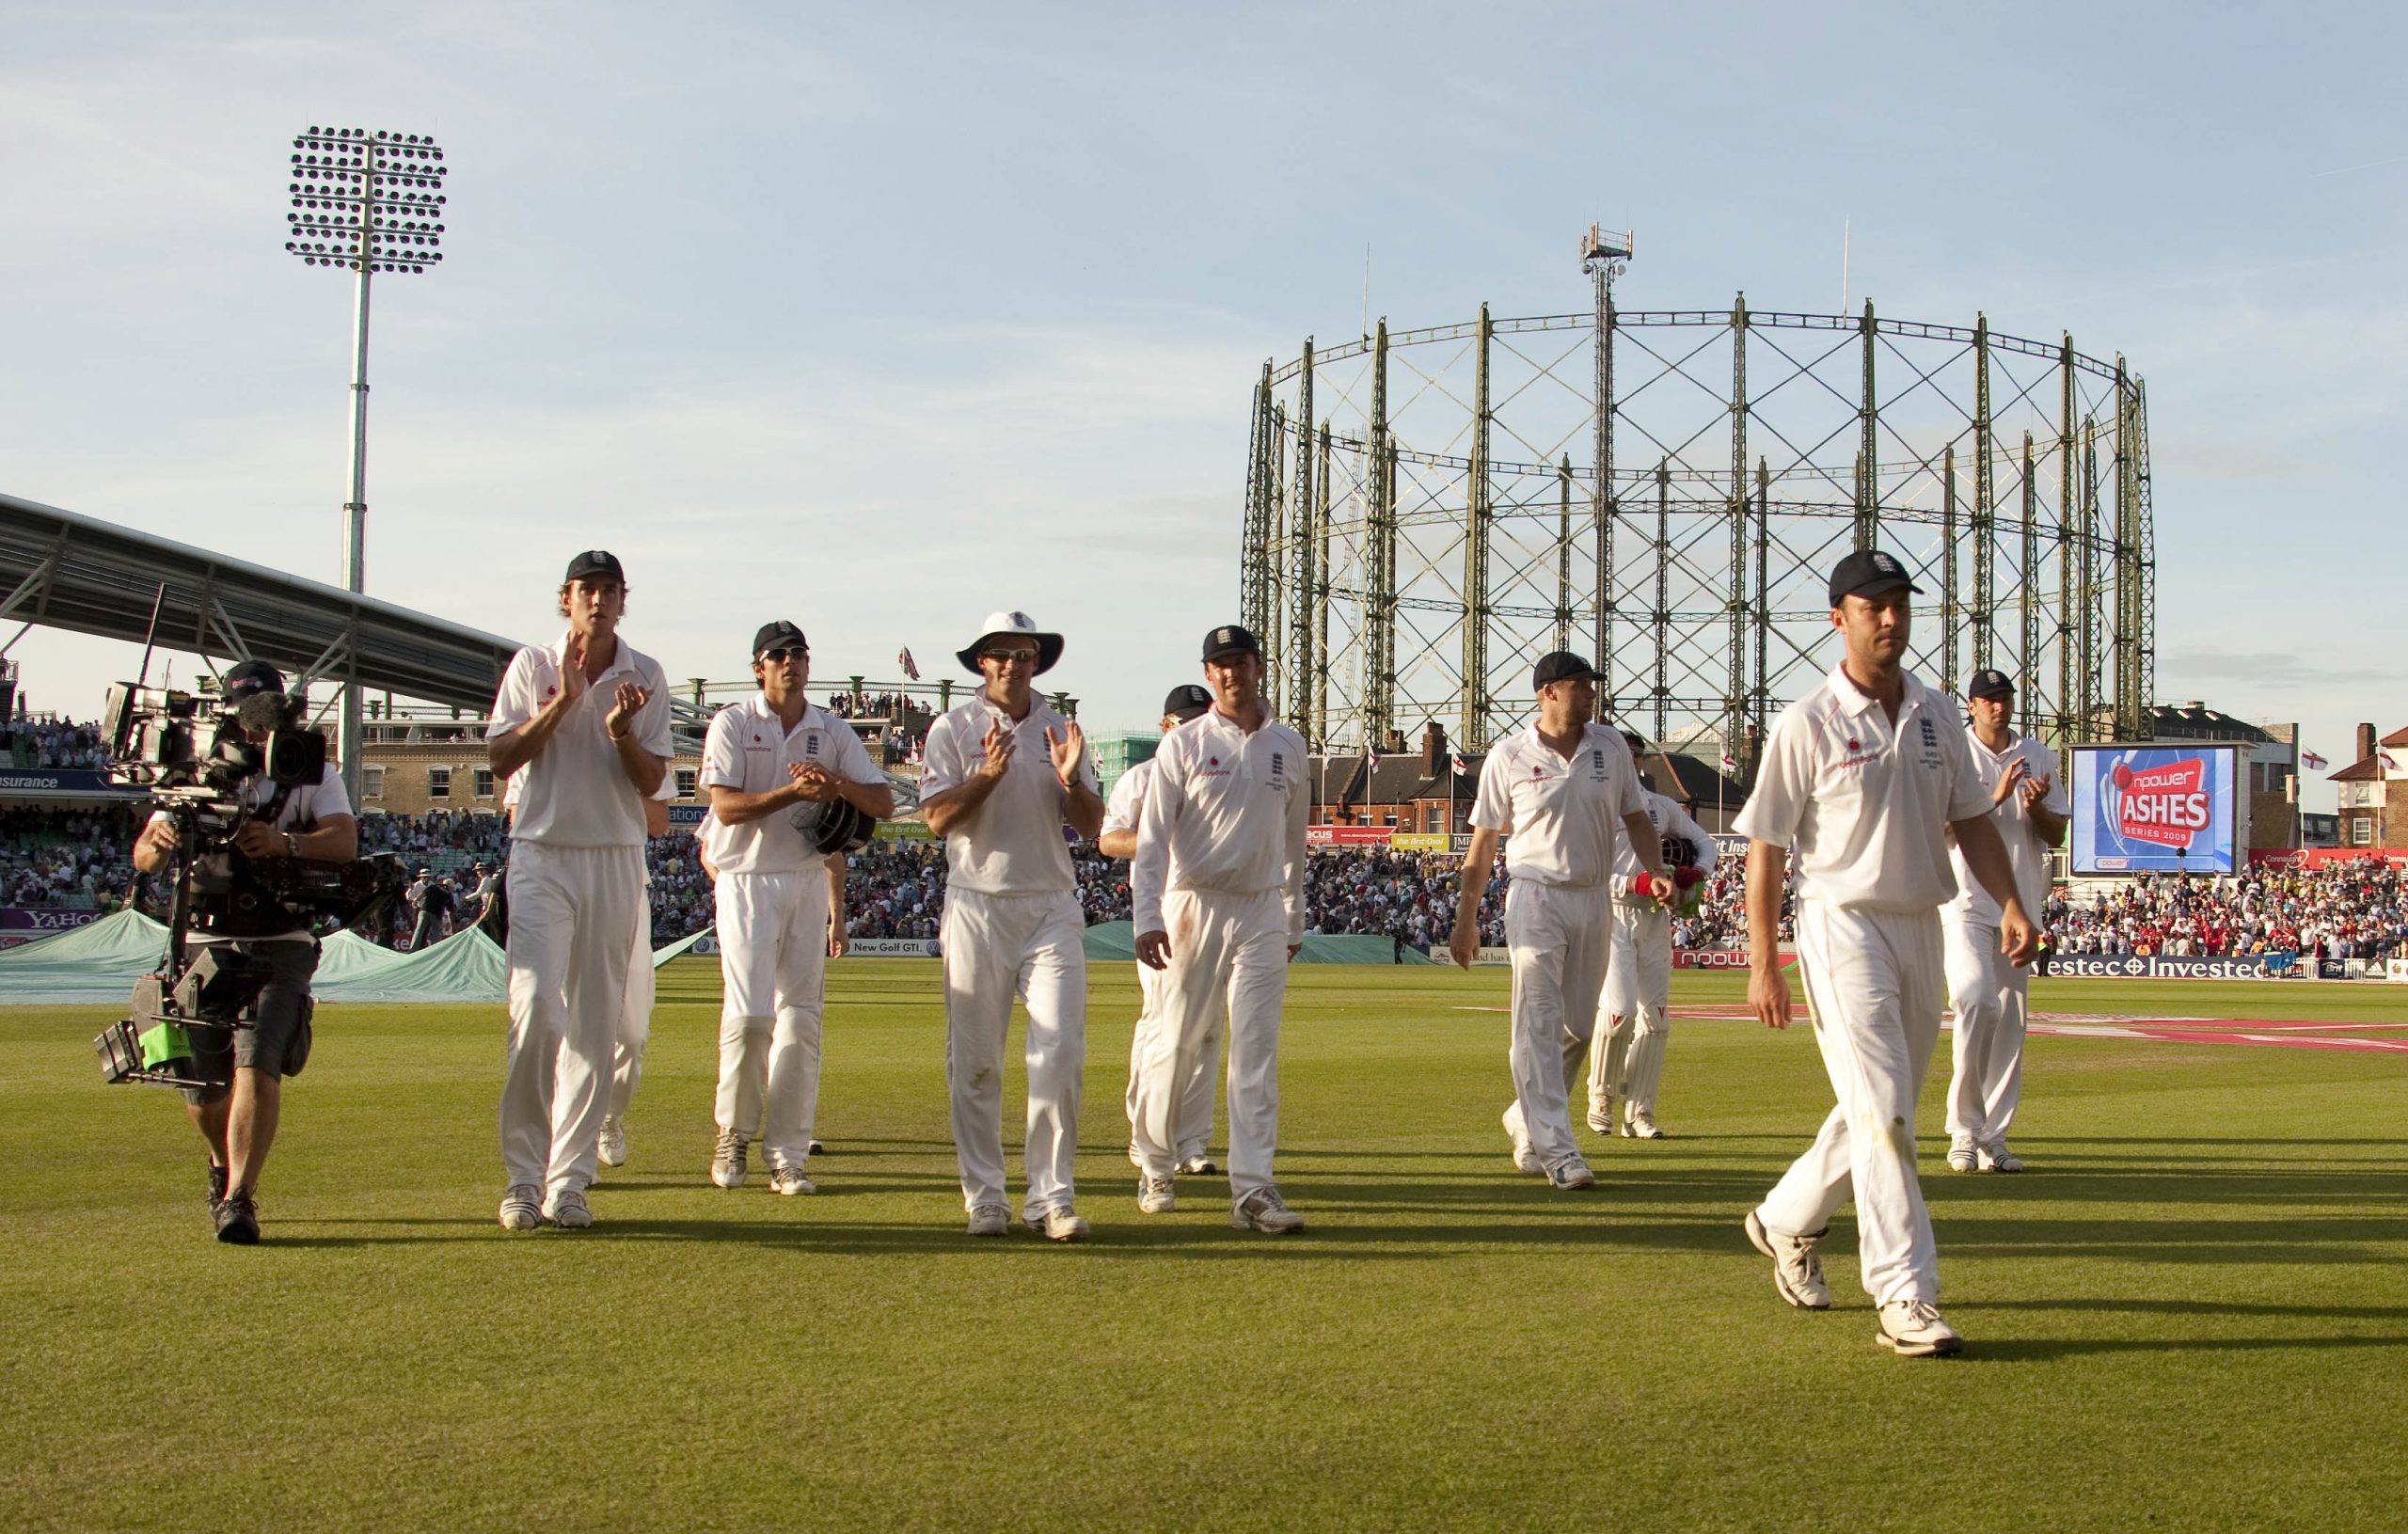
<point x="2192" y="1314"/>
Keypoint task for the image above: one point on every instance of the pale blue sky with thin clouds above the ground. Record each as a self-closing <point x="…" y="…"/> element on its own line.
<point x="887" y="317"/>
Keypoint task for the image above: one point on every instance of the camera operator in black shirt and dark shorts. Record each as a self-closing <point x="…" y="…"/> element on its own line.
<point x="307" y="822"/>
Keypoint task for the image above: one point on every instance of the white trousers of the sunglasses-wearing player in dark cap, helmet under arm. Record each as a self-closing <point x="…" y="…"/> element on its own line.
<point x="774" y="960"/>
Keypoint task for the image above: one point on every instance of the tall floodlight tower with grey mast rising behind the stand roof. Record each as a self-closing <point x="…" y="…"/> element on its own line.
<point x="362" y="203"/>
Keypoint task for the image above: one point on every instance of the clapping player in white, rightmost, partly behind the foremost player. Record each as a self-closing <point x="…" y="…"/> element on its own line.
<point x="1985" y="991"/>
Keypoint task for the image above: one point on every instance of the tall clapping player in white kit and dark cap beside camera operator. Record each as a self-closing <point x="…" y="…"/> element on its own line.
<point x="589" y="726"/>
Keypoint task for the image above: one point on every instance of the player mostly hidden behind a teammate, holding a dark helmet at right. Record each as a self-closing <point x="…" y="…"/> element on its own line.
<point x="1629" y="1061"/>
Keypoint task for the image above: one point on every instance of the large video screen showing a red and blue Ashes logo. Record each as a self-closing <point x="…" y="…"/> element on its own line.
<point x="2154" y="810"/>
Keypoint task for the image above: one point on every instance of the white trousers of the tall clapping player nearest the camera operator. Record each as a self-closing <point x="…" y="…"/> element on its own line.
<point x="572" y="911"/>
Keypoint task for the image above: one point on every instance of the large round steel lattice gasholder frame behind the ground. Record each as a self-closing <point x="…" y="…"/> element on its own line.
<point x="1434" y="509"/>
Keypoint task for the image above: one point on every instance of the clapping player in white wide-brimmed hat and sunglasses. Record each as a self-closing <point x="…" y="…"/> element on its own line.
<point x="1001" y="777"/>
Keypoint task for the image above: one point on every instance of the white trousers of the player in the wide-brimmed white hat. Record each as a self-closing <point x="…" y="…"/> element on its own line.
<point x="998" y="948"/>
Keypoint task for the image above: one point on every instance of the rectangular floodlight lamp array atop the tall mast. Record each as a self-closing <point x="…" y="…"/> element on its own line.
<point x="367" y="201"/>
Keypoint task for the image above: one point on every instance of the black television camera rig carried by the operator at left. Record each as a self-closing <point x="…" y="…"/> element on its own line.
<point x="196" y="755"/>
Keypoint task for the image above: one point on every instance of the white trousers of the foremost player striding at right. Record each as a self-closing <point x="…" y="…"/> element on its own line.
<point x="1875" y="986"/>
